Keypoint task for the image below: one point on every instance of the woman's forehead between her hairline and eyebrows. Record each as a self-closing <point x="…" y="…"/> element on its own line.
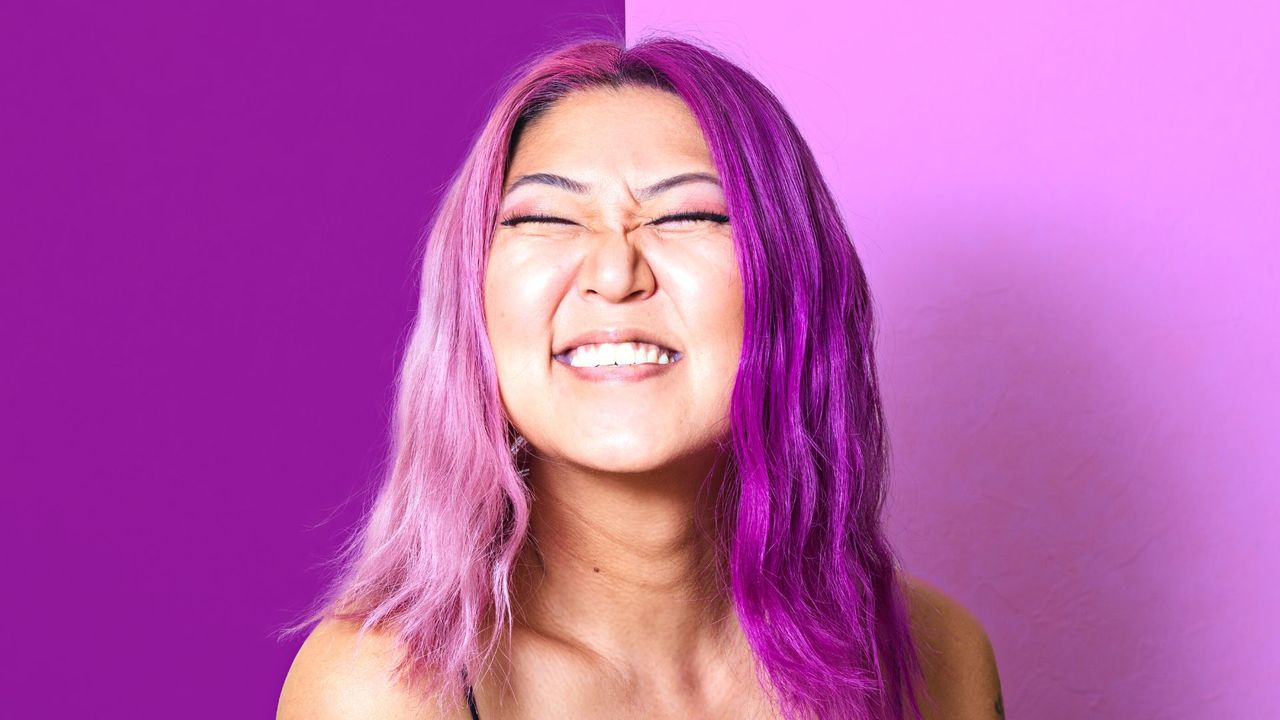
<point x="625" y="130"/>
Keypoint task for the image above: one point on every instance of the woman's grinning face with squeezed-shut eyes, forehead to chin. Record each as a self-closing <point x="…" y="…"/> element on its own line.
<point x="615" y="258"/>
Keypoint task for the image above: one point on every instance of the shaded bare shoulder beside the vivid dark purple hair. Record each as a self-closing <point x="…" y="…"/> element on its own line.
<point x="959" y="660"/>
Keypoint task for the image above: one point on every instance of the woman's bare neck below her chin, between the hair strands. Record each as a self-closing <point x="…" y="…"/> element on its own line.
<point x="621" y="566"/>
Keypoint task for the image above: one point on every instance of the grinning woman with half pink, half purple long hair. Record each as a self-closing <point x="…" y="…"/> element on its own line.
<point x="639" y="453"/>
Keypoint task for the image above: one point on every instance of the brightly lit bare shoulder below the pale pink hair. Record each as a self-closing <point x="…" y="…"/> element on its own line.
<point x="340" y="675"/>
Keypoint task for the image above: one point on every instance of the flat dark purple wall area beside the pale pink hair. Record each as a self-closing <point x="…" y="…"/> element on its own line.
<point x="209" y="227"/>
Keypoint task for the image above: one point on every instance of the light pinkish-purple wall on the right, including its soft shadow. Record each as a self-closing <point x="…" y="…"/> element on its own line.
<point x="1071" y="216"/>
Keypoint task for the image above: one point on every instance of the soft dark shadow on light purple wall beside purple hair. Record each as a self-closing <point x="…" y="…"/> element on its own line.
<point x="1039" y="458"/>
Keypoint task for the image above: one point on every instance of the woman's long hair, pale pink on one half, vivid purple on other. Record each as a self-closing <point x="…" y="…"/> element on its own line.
<point x="812" y="576"/>
